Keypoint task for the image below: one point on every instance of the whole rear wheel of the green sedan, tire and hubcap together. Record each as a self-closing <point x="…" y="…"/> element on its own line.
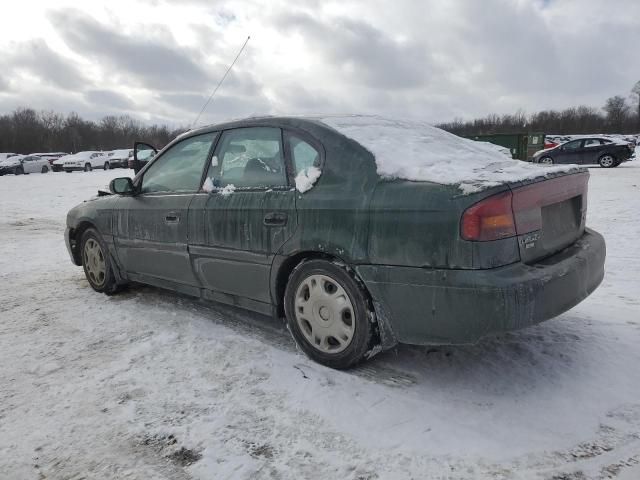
<point x="329" y="313"/>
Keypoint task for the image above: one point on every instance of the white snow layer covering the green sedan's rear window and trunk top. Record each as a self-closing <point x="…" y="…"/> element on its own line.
<point x="415" y="150"/>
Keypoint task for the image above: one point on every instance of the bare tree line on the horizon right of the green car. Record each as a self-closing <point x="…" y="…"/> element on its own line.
<point x="618" y="115"/>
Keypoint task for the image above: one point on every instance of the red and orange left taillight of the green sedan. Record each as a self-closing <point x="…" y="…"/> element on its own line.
<point x="489" y="219"/>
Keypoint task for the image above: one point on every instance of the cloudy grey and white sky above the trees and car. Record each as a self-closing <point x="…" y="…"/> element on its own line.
<point x="158" y="60"/>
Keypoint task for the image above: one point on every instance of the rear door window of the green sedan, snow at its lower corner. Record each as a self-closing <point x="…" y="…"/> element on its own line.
<point x="249" y="157"/>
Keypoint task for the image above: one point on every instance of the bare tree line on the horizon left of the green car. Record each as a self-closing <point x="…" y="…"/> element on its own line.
<point x="27" y="131"/>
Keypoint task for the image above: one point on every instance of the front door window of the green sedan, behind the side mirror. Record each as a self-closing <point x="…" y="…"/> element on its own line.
<point x="179" y="169"/>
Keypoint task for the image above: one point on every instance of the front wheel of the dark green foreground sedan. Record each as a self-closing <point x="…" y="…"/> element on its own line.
<point x="96" y="263"/>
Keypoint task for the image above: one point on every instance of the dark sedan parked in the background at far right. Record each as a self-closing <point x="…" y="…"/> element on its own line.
<point x="587" y="151"/>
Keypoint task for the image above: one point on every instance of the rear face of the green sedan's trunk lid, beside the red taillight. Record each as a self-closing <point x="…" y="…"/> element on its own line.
<point x="549" y="215"/>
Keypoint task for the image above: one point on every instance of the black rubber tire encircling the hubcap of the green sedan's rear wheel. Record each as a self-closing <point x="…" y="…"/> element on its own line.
<point x="362" y="337"/>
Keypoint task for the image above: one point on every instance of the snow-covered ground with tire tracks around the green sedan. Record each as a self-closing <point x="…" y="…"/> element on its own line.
<point x="152" y="385"/>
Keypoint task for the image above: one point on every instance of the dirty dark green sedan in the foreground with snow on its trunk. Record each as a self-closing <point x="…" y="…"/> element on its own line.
<point x="356" y="263"/>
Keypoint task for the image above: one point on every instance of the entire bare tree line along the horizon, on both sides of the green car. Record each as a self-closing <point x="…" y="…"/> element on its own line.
<point x="26" y="131"/>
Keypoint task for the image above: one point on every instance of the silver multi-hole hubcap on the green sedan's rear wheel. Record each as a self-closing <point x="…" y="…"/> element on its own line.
<point x="324" y="313"/>
